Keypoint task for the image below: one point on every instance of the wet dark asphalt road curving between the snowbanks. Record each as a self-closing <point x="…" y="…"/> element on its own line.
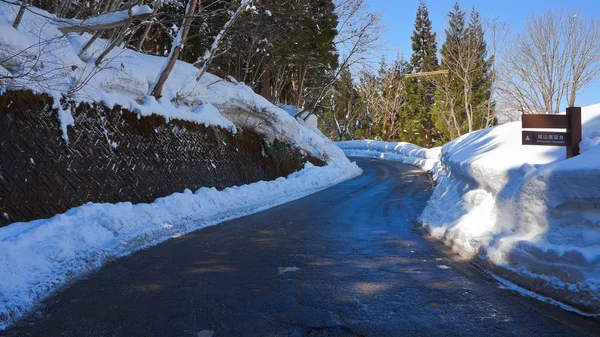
<point x="347" y="261"/>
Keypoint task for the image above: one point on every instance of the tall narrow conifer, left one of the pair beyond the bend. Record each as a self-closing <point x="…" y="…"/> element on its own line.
<point x="419" y="93"/>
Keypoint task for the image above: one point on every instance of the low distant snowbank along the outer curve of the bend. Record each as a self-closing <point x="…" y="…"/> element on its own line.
<point x="425" y="159"/>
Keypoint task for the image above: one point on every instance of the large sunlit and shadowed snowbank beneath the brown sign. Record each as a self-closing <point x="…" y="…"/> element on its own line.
<point x="525" y="211"/>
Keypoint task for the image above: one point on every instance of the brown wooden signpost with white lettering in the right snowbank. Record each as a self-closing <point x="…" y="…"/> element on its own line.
<point x="571" y="138"/>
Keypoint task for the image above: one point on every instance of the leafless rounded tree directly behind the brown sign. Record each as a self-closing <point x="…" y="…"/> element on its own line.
<point x="556" y="56"/>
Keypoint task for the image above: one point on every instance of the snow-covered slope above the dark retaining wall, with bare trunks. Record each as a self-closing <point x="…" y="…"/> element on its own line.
<point x="49" y="63"/>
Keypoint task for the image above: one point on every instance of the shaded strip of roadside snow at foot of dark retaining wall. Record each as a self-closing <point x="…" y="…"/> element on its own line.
<point x="38" y="257"/>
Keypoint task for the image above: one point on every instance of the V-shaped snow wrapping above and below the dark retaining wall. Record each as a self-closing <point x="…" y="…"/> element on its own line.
<point x="38" y="257"/>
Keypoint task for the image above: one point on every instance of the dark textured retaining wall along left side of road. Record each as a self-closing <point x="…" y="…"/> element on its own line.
<point x="114" y="155"/>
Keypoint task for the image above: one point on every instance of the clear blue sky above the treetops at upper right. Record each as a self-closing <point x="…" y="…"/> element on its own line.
<point x="399" y="16"/>
